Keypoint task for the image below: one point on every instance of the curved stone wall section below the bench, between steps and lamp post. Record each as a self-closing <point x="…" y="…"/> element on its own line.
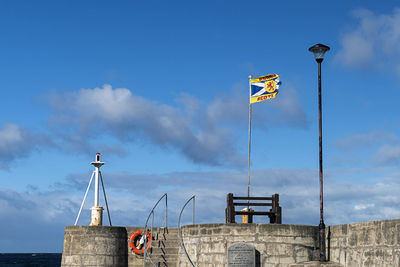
<point x="275" y="244"/>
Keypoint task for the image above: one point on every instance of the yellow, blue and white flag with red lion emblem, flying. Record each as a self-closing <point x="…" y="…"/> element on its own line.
<point x="264" y="87"/>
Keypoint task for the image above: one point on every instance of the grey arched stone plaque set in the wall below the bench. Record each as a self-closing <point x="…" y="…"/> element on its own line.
<point x="241" y="255"/>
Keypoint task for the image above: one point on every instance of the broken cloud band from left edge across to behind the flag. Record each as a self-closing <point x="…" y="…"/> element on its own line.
<point x="204" y="133"/>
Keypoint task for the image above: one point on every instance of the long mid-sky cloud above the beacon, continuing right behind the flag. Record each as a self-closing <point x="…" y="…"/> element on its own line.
<point x="203" y="133"/>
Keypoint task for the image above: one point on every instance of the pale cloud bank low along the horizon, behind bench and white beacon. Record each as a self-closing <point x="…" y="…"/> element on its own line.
<point x="49" y="211"/>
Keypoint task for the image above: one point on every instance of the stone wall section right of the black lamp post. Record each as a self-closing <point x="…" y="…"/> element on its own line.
<point x="365" y="244"/>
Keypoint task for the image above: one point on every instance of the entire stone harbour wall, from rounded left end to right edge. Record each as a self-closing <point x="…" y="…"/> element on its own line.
<point x="370" y="244"/>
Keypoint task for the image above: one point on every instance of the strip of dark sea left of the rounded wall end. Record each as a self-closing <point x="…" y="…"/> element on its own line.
<point x="30" y="259"/>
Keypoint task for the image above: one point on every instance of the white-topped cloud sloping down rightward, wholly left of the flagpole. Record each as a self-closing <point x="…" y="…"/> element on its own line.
<point x="126" y="116"/>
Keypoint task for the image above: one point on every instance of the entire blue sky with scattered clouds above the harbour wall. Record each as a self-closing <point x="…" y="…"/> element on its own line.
<point x="161" y="90"/>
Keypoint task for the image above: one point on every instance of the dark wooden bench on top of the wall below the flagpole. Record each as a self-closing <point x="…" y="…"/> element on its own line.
<point x="274" y="214"/>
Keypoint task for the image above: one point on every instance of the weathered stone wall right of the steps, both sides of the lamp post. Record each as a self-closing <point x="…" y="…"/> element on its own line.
<point x="361" y="244"/>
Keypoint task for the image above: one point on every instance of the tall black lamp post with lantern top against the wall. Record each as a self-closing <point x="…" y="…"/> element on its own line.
<point x="319" y="50"/>
